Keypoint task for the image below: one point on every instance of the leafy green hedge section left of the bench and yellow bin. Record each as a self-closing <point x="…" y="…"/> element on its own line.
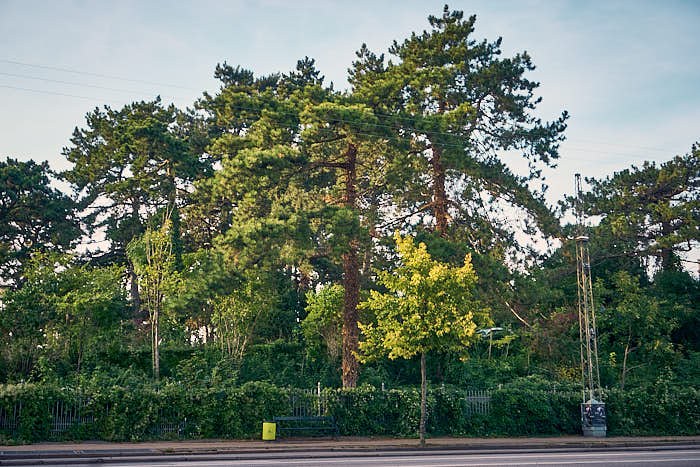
<point x="134" y="414"/>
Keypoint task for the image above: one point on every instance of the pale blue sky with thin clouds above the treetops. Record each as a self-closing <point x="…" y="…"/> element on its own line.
<point x="628" y="72"/>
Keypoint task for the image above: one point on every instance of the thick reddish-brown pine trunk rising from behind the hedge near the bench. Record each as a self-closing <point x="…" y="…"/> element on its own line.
<point x="351" y="281"/>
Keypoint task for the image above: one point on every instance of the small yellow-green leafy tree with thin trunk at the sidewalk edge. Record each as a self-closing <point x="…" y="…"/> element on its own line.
<point x="428" y="307"/>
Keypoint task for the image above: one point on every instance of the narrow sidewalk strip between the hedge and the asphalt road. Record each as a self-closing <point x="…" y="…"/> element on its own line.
<point x="350" y="444"/>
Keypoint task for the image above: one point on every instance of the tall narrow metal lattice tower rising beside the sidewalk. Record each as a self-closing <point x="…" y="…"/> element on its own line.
<point x="590" y="375"/>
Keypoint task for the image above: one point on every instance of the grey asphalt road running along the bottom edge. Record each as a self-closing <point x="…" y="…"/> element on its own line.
<point x="650" y="455"/>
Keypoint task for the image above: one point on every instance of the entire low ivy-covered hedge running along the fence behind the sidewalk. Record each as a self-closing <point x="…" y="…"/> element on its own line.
<point x="175" y="411"/>
